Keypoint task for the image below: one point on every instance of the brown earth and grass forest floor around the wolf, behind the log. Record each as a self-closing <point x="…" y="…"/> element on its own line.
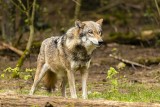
<point x="128" y="77"/>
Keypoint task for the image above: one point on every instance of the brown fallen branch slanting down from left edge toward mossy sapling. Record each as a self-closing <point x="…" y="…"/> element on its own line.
<point x="5" y="46"/>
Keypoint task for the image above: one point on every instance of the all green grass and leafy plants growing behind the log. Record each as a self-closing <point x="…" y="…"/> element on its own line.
<point x="117" y="89"/>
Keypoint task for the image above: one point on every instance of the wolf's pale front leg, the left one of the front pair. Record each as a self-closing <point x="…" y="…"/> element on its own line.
<point x="71" y="81"/>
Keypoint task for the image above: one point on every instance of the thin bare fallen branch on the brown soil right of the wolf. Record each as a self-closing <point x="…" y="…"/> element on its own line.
<point x="129" y="62"/>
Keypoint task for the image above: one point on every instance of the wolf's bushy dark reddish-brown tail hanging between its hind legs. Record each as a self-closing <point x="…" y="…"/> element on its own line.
<point x="50" y="80"/>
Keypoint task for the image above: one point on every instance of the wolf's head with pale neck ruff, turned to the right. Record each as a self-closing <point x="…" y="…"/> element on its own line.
<point x="87" y="33"/>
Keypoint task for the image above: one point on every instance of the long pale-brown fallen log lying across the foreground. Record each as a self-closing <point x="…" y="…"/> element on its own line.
<point x="14" y="100"/>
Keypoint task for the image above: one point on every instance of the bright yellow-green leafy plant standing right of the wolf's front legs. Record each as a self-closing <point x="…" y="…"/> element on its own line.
<point x="111" y="75"/>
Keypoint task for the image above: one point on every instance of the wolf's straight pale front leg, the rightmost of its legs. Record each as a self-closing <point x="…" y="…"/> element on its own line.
<point x="84" y="84"/>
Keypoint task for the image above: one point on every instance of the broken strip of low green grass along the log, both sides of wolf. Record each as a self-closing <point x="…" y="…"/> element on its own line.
<point x="125" y="92"/>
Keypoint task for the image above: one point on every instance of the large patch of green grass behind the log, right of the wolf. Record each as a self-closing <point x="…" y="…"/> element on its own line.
<point x="130" y="93"/>
